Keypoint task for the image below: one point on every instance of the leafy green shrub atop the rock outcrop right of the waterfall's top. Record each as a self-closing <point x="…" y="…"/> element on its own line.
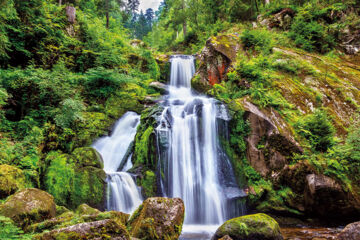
<point x="257" y="40"/>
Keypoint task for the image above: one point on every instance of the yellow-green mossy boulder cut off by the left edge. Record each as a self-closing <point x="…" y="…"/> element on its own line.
<point x="11" y="180"/>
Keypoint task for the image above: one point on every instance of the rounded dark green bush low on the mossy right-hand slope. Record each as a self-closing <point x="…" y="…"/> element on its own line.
<point x="318" y="130"/>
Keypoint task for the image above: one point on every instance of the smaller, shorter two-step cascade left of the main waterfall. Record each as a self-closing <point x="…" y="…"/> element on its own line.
<point x="122" y="193"/>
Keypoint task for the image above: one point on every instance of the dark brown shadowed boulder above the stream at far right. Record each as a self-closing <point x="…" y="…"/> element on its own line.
<point x="326" y="198"/>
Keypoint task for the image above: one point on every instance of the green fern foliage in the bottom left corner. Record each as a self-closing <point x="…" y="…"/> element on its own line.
<point x="9" y="231"/>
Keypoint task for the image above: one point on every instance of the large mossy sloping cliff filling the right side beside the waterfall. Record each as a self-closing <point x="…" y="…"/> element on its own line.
<point x="296" y="179"/>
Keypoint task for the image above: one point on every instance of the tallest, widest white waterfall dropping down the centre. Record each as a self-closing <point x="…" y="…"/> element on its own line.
<point x="193" y="165"/>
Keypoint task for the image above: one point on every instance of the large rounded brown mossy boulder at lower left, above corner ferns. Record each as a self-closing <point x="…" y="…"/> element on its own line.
<point x="29" y="206"/>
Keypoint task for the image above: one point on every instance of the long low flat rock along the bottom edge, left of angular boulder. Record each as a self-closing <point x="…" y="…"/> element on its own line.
<point x="104" y="229"/>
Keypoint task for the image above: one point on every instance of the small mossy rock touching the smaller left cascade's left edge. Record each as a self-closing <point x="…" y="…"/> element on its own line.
<point x="87" y="157"/>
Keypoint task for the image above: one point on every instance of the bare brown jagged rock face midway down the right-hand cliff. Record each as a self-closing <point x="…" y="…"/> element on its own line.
<point x="267" y="148"/>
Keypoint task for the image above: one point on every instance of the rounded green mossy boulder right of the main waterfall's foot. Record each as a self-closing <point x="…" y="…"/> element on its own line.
<point x="251" y="227"/>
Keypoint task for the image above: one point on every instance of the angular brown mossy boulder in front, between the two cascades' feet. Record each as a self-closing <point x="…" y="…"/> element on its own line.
<point x="158" y="218"/>
